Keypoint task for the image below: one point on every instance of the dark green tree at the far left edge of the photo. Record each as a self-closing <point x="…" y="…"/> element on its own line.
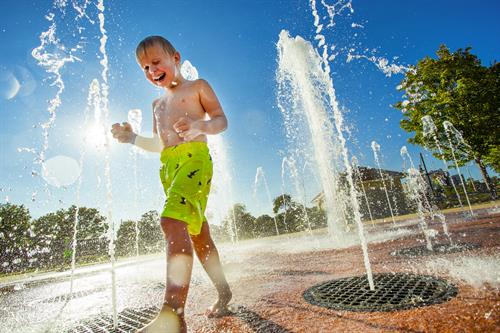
<point x="14" y="237"/>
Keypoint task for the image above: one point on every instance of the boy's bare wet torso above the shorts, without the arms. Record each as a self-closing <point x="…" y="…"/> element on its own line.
<point x="184" y="101"/>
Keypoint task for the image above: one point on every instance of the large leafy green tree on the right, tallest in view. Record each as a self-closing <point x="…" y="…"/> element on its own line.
<point x="455" y="87"/>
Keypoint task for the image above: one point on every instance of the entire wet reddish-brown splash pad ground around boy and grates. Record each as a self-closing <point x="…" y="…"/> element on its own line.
<point x="269" y="279"/>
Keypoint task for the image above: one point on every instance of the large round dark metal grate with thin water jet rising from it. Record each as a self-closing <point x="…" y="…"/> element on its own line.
<point x="392" y="292"/>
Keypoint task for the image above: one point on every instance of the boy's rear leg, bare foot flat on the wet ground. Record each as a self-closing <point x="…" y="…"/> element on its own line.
<point x="209" y="257"/>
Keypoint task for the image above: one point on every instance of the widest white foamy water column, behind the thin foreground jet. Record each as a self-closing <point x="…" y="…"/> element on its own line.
<point x="297" y="99"/>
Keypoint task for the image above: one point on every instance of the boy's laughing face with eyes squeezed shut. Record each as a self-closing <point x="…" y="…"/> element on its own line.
<point x="160" y="68"/>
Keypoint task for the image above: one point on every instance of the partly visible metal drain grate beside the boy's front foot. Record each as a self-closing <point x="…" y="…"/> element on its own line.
<point x="129" y="320"/>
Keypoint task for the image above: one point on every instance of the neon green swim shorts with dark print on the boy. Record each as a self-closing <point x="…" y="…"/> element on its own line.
<point x="186" y="173"/>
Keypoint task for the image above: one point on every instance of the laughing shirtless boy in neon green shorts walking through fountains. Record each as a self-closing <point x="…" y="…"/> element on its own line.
<point x="182" y="119"/>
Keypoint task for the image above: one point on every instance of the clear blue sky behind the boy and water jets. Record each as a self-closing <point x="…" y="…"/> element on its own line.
<point x="233" y="46"/>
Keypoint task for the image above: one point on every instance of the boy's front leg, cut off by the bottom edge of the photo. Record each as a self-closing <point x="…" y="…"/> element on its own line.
<point x="179" y="268"/>
